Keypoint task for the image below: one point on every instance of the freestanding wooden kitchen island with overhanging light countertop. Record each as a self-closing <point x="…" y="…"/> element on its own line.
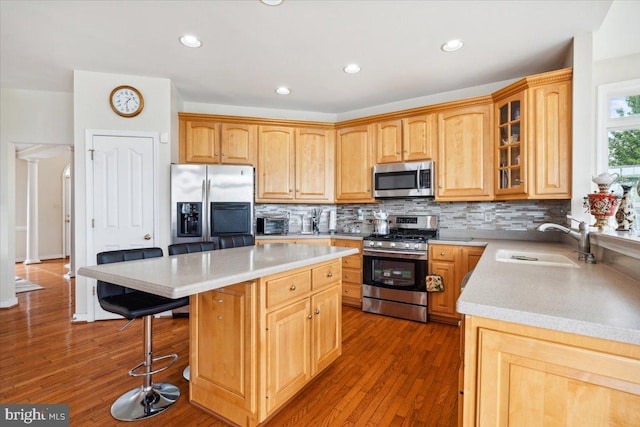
<point x="264" y="320"/>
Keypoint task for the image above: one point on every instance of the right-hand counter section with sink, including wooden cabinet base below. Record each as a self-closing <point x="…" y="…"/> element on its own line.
<point x="549" y="340"/>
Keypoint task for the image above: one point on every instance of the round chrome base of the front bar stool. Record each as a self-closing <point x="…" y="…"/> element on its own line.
<point x="141" y="403"/>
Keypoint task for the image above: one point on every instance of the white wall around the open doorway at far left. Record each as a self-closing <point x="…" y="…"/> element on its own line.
<point x="32" y="117"/>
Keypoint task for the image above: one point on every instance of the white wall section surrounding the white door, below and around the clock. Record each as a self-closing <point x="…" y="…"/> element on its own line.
<point x="92" y="112"/>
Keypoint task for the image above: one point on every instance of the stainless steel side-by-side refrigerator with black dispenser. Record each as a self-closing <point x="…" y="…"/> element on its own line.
<point x="210" y="200"/>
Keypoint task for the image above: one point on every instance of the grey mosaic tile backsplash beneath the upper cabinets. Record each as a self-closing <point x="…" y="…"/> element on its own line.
<point x="515" y="215"/>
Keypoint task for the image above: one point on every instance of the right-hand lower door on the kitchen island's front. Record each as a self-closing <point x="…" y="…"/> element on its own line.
<point x="326" y="334"/>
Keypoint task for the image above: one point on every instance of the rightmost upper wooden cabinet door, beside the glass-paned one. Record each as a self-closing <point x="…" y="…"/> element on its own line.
<point x="550" y="150"/>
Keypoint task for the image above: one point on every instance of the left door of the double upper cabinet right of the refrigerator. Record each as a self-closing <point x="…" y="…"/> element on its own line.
<point x="275" y="163"/>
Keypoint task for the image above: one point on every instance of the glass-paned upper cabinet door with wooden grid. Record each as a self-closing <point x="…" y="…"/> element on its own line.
<point x="510" y="147"/>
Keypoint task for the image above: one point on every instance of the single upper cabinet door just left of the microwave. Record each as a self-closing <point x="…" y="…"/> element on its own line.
<point x="353" y="168"/>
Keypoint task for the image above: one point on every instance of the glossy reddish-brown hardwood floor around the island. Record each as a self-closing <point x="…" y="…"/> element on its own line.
<point x="392" y="372"/>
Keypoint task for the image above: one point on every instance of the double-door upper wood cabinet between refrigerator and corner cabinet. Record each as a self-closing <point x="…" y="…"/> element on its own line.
<point x="295" y="165"/>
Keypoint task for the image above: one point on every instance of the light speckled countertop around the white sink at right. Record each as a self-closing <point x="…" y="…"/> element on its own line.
<point x="593" y="299"/>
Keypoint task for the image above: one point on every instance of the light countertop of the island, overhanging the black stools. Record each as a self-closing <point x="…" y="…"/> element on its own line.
<point x="182" y="275"/>
